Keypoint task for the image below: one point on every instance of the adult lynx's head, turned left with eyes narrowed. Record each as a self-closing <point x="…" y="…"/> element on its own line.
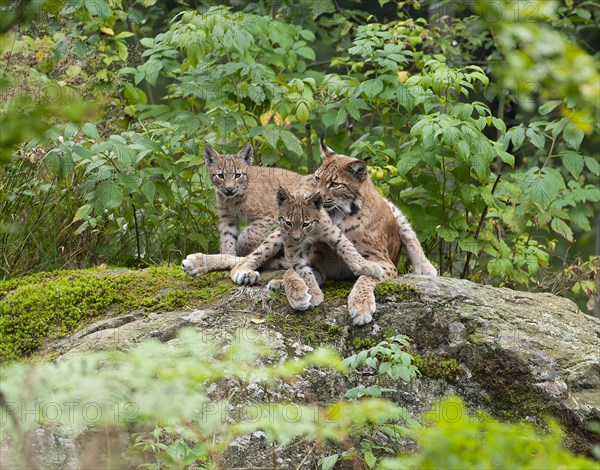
<point x="340" y="179"/>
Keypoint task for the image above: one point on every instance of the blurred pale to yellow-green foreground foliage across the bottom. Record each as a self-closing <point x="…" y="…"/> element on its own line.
<point x="128" y="390"/>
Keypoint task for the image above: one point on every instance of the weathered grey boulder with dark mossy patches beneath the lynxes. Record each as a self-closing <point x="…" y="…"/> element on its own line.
<point x="517" y="355"/>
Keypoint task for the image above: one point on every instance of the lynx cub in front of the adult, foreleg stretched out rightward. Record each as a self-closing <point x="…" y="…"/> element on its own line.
<point x="305" y="224"/>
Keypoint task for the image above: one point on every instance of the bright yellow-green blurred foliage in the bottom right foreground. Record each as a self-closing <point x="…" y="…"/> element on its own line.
<point x="457" y="440"/>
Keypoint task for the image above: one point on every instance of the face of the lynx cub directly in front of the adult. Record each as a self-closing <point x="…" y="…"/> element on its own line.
<point x="298" y="213"/>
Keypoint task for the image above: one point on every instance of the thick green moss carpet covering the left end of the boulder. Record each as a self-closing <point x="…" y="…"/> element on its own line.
<point x="51" y="305"/>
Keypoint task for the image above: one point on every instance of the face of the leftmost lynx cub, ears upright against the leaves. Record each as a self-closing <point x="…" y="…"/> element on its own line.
<point x="229" y="172"/>
